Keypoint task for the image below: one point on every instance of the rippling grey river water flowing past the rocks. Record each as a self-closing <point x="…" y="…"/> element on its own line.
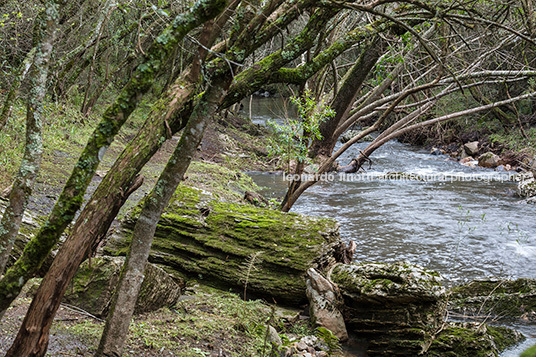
<point x="462" y="222"/>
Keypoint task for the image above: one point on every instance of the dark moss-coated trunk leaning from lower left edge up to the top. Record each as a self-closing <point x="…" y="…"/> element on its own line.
<point x="71" y="198"/>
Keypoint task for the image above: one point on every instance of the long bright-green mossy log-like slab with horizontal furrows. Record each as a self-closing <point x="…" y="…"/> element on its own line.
<point x="237" y="246"/>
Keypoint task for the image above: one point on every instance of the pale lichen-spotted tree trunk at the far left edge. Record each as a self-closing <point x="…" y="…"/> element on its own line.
<point x="46" y="30"/>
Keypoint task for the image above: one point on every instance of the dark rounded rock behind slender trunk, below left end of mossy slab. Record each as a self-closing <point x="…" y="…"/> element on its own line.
<point x="92" y="287"/>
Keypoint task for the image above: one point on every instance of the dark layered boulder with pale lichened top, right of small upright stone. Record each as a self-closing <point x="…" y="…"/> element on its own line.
<point x="393" y="306"/>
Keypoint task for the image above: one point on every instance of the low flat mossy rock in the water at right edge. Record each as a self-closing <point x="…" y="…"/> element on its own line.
<point x="499" y="298"/>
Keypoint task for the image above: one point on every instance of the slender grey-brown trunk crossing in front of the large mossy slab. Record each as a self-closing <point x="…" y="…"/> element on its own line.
<point x="123" y="303"/>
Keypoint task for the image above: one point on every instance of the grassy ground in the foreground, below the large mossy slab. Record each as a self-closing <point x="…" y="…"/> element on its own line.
<point x="205" y="322"/>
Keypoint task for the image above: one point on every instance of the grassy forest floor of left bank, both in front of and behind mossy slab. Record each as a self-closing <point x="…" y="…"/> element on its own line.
<point x="206" y="322"/>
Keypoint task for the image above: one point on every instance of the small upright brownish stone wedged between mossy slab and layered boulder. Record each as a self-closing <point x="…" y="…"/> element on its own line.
<point x="324" y="303"/>
